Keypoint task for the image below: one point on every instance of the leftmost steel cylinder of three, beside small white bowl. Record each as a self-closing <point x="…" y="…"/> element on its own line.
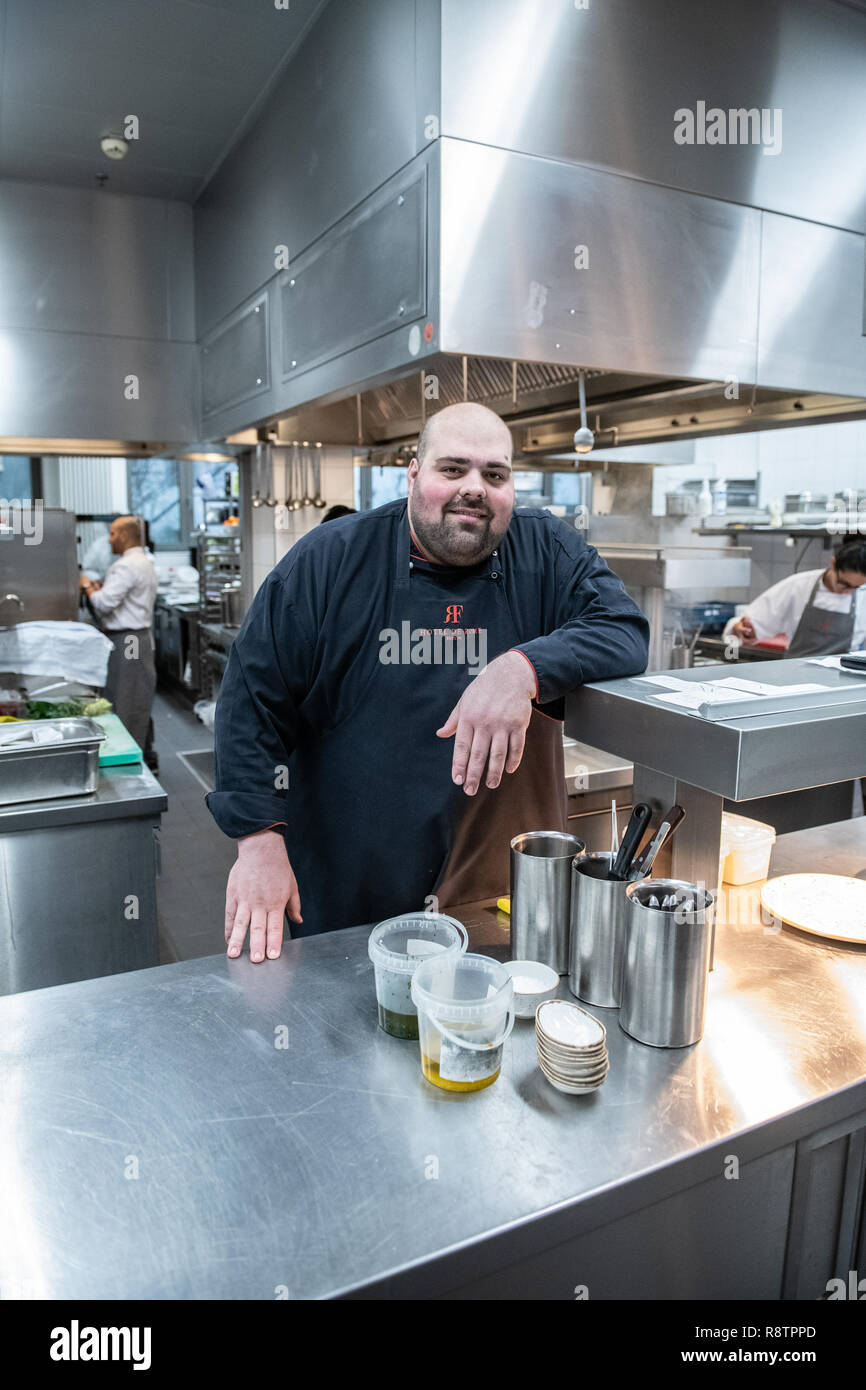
<point x="541" y="896"/>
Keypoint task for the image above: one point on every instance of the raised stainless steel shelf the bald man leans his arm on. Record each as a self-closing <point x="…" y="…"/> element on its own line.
<point x="680" y="757"/>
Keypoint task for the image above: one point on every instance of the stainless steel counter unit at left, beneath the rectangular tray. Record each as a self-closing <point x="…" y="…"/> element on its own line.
<point x="80" y="883"/>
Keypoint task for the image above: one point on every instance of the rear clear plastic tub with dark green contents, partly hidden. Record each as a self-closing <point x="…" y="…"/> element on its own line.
<point x="397" y="949"/>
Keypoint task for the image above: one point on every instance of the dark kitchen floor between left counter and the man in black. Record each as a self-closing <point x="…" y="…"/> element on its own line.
<point x="197" y="856"/>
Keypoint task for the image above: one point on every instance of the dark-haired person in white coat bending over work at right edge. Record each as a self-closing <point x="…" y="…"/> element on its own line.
<point x="821" y="612"/>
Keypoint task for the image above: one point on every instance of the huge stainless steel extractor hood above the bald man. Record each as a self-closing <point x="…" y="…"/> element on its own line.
<point x="697" y="288"/>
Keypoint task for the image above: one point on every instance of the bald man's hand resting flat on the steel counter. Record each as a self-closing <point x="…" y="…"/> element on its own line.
<point x="261" y="888"/>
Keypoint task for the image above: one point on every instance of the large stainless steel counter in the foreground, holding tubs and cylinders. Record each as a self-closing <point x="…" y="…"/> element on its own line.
<point x="332" y="1167"/>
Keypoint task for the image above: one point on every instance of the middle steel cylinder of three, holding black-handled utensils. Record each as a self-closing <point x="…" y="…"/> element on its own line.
<point x="600" y="915"/>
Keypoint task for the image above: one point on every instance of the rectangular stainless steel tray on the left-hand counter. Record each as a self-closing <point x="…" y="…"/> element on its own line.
<point x="45" y="772"/>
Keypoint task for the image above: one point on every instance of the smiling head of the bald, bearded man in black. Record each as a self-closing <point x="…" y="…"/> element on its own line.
<point x="462" y="490"/>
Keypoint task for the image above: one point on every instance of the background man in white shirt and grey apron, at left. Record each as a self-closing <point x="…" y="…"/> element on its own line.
<point x="123" y="605"/>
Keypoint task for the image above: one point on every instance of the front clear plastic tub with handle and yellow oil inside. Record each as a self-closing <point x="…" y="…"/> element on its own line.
<point x="466" y="1011"/>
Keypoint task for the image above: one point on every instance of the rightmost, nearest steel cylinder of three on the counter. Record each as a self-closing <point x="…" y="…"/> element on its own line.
<point x="668" y="957"/>
